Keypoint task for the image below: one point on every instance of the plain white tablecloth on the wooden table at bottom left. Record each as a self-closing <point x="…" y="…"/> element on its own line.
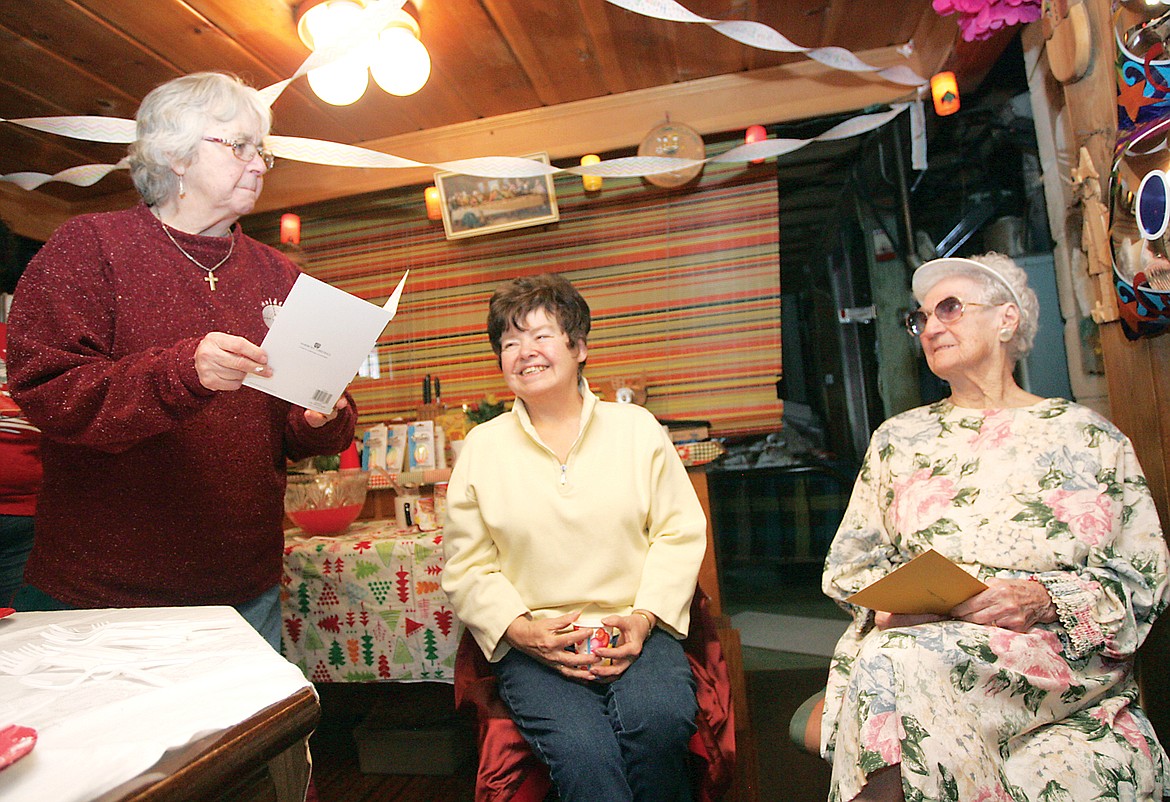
<point x="104" y="732"/>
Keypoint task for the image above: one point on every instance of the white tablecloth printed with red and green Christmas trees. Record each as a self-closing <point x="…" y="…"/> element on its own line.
<point x="367" y="606"/>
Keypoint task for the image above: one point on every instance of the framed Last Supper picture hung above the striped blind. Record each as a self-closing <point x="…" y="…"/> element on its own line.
<point x="473" y="205"/>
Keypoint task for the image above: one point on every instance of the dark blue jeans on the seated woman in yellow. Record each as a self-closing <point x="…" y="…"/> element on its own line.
<point x="617" y="742"/>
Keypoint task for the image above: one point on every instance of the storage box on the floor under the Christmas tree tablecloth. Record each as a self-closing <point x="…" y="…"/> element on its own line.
<point x="439" y="746"/>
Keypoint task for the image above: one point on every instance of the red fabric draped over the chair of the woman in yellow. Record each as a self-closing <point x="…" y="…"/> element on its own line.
<point x="511" y="773"/>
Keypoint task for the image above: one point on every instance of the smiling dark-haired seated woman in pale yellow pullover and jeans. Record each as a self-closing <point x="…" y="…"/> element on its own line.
<point x="569" y="510"/>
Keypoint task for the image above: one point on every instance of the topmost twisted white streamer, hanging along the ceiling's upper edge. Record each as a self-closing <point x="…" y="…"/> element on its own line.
<point x="761" y="37"/>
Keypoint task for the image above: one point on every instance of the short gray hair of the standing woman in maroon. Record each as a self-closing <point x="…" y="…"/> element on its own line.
<point x="173" y="120"/>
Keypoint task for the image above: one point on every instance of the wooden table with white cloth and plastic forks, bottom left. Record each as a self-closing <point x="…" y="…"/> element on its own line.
<point x="205" y="709"/>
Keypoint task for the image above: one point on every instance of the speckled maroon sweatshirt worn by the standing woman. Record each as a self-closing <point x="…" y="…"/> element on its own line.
<point x="157" y="491"/>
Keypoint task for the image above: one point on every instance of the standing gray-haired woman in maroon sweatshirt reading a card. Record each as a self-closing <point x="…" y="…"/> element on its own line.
<point x="130" y="337"/>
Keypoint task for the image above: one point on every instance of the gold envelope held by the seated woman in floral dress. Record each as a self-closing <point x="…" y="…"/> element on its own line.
<point x="928" y="584"/>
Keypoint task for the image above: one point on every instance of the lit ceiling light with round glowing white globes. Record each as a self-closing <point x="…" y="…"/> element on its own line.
<point x="398" y="60"/>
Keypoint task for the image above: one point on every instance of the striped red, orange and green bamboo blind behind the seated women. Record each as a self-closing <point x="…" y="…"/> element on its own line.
<point x="684" y="286"/>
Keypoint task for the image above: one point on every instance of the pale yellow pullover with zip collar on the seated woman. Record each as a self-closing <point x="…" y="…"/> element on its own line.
<point x="617" y="527"/>
